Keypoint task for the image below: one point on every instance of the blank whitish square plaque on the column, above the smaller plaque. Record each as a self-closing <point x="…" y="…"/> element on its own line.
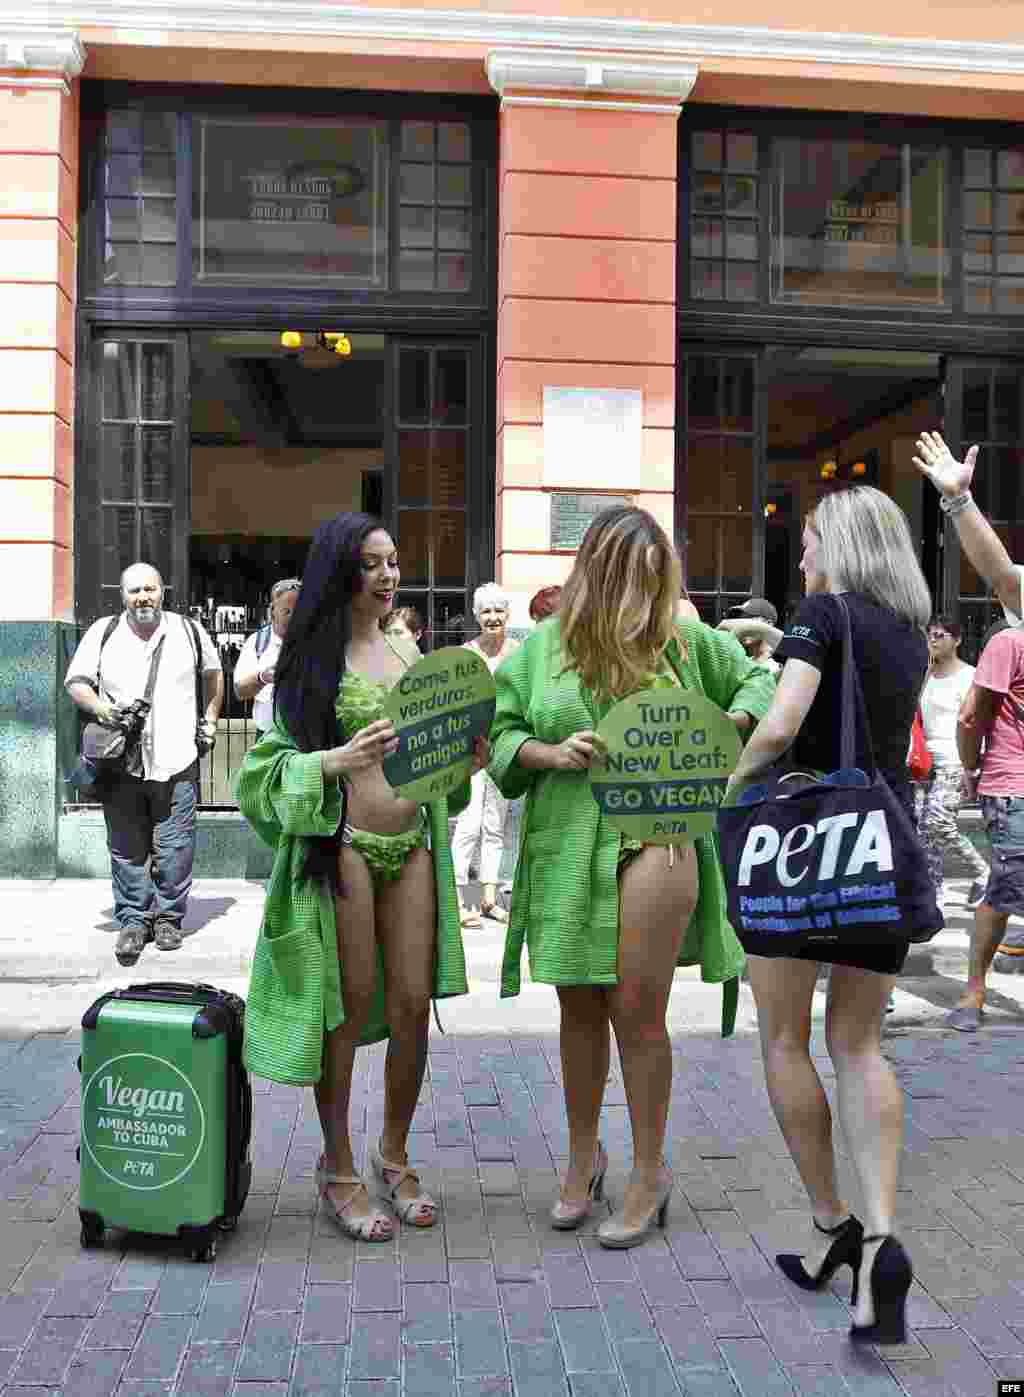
<point x="592" y="435"/>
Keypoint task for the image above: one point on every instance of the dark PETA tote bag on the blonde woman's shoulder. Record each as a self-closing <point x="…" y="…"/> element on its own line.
<point x="815" y="864"/>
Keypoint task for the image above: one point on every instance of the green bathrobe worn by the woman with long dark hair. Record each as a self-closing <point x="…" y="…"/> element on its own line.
<point x="295" y="991"/>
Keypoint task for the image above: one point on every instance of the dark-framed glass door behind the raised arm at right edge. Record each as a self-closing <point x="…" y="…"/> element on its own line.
<point x="986" y="409"/>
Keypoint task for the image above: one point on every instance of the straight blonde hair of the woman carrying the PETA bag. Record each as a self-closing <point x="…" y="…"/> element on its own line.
<point x="867" y="548"/>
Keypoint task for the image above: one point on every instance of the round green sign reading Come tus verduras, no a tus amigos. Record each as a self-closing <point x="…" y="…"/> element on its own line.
<point x="439" y="709"/>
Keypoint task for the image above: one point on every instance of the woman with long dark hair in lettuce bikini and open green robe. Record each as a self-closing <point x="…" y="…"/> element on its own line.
<point x="361" y="926"/>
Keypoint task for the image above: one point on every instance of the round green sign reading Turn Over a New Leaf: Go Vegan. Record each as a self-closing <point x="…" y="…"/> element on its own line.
<point x="668" y="755"/>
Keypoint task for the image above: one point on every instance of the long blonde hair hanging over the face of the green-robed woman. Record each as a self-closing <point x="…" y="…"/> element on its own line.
<point x="617" y="611"/>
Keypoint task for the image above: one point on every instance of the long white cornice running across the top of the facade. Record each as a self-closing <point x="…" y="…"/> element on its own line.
<point x="323" y="19"/>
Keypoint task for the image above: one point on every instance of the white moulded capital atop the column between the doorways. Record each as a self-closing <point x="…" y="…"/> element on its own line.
<point x="589" y="73"/>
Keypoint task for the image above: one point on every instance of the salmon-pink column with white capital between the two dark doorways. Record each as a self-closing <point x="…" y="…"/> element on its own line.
<point x="587" y="283"/>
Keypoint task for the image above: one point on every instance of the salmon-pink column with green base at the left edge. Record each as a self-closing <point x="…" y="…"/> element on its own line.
<point x="38" y="213"/>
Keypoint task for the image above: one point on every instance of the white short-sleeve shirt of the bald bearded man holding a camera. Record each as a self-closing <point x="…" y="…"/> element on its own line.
<point x="122" y="673"/>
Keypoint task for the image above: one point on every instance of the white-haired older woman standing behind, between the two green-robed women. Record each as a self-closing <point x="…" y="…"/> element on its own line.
<point x="483" y="822"/>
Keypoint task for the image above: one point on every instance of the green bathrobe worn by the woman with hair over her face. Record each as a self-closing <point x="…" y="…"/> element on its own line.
<point x="566" y="896"/>
